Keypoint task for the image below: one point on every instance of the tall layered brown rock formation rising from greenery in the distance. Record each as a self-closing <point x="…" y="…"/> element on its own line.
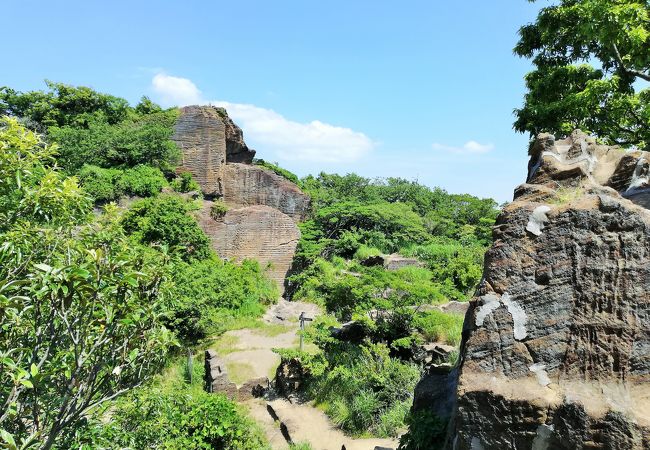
<point x="264" y="207"/>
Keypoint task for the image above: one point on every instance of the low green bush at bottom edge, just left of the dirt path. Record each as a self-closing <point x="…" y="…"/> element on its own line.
<point x="172" y="413"/>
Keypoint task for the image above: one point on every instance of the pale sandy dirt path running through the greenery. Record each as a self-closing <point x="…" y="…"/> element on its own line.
<point x="248" y="354"/>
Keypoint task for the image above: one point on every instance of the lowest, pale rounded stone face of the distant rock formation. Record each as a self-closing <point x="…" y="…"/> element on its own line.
<point x="254" y="232"/>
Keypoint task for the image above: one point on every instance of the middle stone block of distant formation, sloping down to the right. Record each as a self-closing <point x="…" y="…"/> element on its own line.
<point x="248" y="185"/>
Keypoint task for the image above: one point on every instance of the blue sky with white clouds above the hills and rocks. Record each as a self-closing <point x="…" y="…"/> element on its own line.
<point x="418" y="89"/>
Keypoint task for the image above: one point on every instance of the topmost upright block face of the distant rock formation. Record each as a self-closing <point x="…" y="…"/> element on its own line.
<point x="201" y="136"/>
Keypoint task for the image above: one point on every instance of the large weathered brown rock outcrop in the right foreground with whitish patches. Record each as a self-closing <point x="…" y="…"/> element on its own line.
<point x="556" y="344"/>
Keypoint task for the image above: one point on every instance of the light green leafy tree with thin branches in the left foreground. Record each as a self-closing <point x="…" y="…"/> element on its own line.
<point x="79" y="315"/>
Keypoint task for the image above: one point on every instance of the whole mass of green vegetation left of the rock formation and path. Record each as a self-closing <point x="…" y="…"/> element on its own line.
<point x="93" y="306"/>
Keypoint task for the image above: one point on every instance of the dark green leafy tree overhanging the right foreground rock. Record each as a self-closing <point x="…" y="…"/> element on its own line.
<point x="591" y="58"/>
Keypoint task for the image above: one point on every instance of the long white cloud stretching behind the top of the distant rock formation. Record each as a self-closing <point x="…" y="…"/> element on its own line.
<point x="313" y="141"/>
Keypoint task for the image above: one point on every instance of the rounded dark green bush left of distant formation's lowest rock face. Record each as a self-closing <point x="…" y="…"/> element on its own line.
<point x="165" y="220"/>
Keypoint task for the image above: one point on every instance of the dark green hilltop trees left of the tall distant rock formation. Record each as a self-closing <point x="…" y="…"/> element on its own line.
<point x="95" y="128"/>
